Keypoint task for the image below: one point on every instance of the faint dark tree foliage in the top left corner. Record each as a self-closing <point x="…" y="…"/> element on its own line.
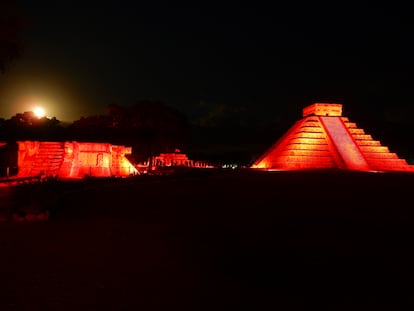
<point x="10" y="27"/>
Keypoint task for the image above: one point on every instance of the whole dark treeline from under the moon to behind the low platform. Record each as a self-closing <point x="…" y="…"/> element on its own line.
<point x="149" y="127"/>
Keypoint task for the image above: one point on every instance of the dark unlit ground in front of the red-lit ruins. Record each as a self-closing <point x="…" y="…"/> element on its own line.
<point x="216" y="241"/>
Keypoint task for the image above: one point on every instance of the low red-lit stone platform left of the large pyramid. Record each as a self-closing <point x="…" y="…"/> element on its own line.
<point x="73" y="159"/>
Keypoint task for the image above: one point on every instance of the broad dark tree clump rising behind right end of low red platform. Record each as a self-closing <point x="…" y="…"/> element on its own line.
<point x="149" y="127"/>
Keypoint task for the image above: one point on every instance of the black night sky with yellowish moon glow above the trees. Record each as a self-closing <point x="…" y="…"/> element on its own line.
<point x="224" y="64"/>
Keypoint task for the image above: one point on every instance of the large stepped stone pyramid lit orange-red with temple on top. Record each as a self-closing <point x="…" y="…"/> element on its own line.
<point x="325" y="139"/>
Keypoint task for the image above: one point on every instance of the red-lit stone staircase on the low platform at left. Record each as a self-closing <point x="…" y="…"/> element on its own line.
<point x="48" y="159"/>
